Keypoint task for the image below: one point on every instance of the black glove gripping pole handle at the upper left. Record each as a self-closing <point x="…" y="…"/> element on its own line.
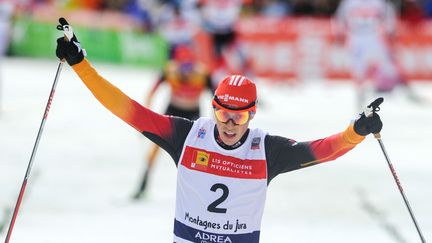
<point x="69" y="49"/>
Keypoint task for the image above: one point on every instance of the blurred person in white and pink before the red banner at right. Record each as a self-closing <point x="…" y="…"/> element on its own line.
<point x="368" y="26"/>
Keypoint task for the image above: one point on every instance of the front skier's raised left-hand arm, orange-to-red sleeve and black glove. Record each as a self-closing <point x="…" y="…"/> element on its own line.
<point x="168" y="132"/>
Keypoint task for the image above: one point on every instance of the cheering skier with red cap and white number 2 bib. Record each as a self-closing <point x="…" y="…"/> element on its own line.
<point x="224" y="167"/>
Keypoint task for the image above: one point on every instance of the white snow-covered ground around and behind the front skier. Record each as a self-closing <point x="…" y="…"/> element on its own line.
<point x="89" y="163"/>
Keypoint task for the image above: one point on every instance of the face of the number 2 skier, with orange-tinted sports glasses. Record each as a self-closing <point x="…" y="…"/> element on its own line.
<point x="230" y="132"/>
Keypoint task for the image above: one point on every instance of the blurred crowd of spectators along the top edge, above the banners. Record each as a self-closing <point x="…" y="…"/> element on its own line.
<point x="147" y="13"/>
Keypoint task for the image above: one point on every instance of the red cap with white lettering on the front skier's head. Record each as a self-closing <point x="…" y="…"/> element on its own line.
<point x="235" y="93"/>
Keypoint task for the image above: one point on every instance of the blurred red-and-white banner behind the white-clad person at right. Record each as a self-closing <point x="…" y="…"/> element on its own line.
<point x="303" y="48"/>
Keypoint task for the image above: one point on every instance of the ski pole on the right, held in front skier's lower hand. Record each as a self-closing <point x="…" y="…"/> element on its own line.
<point x="372" y="108"/>
